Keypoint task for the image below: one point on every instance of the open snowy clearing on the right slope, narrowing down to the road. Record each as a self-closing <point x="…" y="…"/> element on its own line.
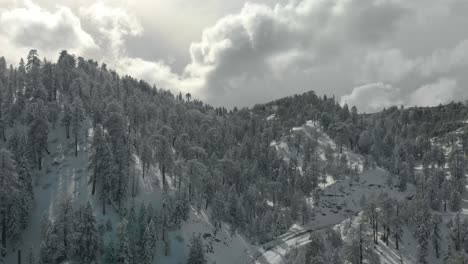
<point x="340" y="201"/>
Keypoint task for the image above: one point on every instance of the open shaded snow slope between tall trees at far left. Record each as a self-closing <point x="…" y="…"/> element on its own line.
<point x="63" y="175"/>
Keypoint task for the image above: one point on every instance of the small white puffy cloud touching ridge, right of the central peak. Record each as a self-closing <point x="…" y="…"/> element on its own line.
<point x="373" y="97"/>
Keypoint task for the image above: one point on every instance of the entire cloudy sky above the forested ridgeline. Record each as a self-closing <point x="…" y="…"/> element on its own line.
<point x="368" y="53"/>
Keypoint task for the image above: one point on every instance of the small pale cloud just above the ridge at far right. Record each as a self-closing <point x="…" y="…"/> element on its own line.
<point x="440" y="92"/>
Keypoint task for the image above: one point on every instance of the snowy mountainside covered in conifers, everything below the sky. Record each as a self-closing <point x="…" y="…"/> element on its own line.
<point x="102" y="168"/>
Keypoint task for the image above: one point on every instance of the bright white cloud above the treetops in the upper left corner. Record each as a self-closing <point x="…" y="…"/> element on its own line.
<point x="30" y="26"/>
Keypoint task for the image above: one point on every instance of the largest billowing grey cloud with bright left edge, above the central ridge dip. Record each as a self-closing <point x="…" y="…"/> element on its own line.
<point x="263" y="48"/>
